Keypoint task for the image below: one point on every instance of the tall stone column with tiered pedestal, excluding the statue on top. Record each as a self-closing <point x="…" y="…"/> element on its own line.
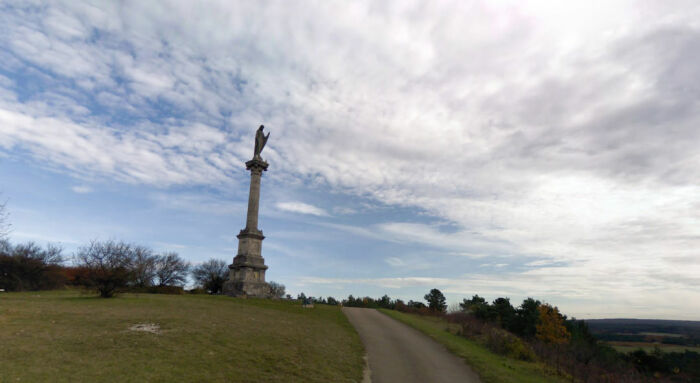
<point x="247" y="273"/>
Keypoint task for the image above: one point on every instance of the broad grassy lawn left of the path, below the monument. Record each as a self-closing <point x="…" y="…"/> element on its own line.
<point x="63" y="336"/>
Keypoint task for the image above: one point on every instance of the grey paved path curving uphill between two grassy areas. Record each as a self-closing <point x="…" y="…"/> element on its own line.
<point x="399" y="353"/>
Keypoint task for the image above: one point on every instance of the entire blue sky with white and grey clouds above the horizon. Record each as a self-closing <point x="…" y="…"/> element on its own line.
<point x="547" y="149"/>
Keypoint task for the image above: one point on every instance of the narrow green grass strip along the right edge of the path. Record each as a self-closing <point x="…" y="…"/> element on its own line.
<point x="492" y="368"/>
